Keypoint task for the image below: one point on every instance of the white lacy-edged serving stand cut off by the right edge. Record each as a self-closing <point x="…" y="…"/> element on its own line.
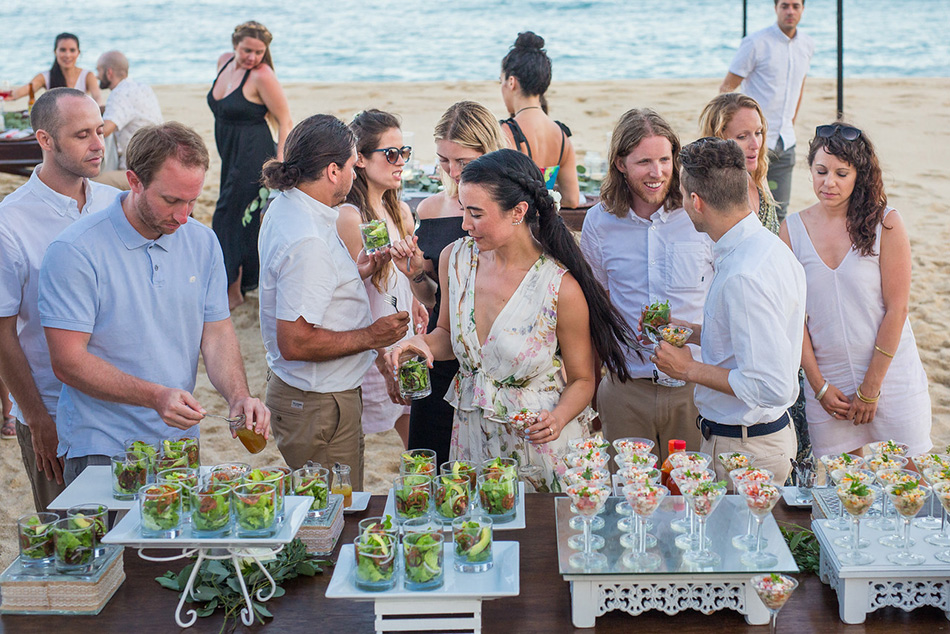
<point x="863" y="589"/>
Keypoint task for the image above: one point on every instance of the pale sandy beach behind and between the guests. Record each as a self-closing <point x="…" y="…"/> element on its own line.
<point x="907" y="119"/>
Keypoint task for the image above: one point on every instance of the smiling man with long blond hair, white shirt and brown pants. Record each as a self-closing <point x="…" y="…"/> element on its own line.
<point x="642" y="247"/>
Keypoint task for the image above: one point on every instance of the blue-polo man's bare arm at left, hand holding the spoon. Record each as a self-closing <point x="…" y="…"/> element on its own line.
<point x="79" y="368"/>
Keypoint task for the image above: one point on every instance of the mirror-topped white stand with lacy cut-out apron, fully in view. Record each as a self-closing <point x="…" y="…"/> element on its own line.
<point x="676" y="585"/>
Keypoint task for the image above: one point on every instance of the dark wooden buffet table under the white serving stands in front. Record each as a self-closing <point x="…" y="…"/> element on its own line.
<point x="543" y="606"/>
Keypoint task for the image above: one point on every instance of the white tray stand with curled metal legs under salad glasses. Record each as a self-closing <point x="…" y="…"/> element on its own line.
<point x="128" y="532"/>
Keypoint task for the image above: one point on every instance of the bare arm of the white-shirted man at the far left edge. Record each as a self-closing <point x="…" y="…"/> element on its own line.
<point x="16" y="375"/>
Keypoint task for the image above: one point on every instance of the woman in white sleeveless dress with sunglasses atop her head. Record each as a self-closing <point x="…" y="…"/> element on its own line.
<point x="865" y="378"/>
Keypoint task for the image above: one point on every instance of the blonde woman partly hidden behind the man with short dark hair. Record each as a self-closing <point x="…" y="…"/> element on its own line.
<point x="738" y="117"/>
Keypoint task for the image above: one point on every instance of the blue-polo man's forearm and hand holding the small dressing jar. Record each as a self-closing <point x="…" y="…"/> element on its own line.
<point x="222" y="356"/>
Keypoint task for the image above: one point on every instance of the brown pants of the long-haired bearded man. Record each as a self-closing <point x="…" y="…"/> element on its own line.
<point x="642" y="409"/>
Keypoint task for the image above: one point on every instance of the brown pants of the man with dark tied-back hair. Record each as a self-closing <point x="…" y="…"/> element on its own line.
<point x="317" y="426"/>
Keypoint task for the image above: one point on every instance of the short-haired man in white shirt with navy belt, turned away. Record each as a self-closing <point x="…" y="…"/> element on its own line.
<point x="753" y="321"/>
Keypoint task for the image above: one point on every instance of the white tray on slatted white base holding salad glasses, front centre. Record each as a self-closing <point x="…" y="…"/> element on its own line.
<point x="456" y="606"/>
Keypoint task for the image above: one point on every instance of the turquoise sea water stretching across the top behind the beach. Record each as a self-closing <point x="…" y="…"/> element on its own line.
<point x="178" y="41"/>
